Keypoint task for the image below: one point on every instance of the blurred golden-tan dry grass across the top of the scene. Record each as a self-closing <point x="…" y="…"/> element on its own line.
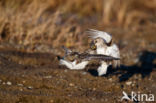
<point x="54" y="22"/>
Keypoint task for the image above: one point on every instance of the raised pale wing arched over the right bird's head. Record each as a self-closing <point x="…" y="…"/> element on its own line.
<point x="100" y="34"/>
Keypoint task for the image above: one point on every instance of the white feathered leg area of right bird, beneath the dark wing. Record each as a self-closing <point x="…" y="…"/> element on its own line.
<point x="102" y="69"/>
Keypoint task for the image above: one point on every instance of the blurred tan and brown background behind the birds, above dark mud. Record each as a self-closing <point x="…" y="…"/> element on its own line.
<point x="39" y="25"/>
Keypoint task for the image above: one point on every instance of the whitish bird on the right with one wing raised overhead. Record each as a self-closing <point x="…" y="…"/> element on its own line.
<point x="102" y="43"/>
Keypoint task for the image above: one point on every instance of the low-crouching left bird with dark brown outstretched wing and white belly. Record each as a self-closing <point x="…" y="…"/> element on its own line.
<point x="80" y="60"/>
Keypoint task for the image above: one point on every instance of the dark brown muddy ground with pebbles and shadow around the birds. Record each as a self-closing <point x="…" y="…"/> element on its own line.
<point x="34" y="77"/>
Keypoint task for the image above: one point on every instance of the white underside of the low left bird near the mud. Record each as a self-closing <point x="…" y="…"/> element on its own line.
<point x="73" y="65"/>
